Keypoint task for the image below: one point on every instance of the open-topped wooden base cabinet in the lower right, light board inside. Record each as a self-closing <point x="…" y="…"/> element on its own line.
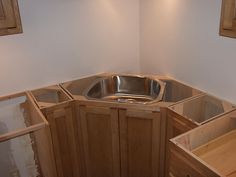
<point x="207" y="151"/>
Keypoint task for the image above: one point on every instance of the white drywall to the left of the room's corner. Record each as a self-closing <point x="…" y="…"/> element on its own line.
<point x="68" y="39"/>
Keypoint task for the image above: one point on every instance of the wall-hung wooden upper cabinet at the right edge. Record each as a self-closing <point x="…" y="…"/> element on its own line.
<point x="228" y="18"/>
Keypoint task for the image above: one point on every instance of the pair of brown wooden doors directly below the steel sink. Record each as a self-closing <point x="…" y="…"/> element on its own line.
<point x="119" y="142"/>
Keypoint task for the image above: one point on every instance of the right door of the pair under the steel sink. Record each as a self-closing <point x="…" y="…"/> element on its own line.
<point x="139" y="143"/>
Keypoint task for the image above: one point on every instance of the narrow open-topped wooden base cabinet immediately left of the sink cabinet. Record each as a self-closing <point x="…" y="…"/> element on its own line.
<point x="58" y="109"/>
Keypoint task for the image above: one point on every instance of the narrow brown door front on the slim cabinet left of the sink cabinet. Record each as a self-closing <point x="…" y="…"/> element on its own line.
<point x="62" y="127"/>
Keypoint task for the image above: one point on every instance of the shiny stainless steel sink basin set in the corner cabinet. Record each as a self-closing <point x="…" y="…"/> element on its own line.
<point x="126" y="88"/>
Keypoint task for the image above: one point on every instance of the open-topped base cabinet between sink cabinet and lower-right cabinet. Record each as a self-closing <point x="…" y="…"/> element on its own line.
<point x="192" y="113"/>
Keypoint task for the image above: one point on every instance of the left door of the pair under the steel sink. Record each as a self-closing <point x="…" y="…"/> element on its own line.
<point x="100" y="140"/>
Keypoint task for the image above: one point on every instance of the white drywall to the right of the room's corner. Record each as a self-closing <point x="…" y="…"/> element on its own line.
<point x="180" y="39"/>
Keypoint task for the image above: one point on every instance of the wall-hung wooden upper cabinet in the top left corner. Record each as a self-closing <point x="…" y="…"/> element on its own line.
<point x="10" y="22"/>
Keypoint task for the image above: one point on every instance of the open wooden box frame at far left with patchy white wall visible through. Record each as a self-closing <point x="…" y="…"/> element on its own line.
<point x="25" y="147"/>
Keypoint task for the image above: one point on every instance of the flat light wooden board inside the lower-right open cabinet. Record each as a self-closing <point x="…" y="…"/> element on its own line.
<point x="220" y="154"/>
